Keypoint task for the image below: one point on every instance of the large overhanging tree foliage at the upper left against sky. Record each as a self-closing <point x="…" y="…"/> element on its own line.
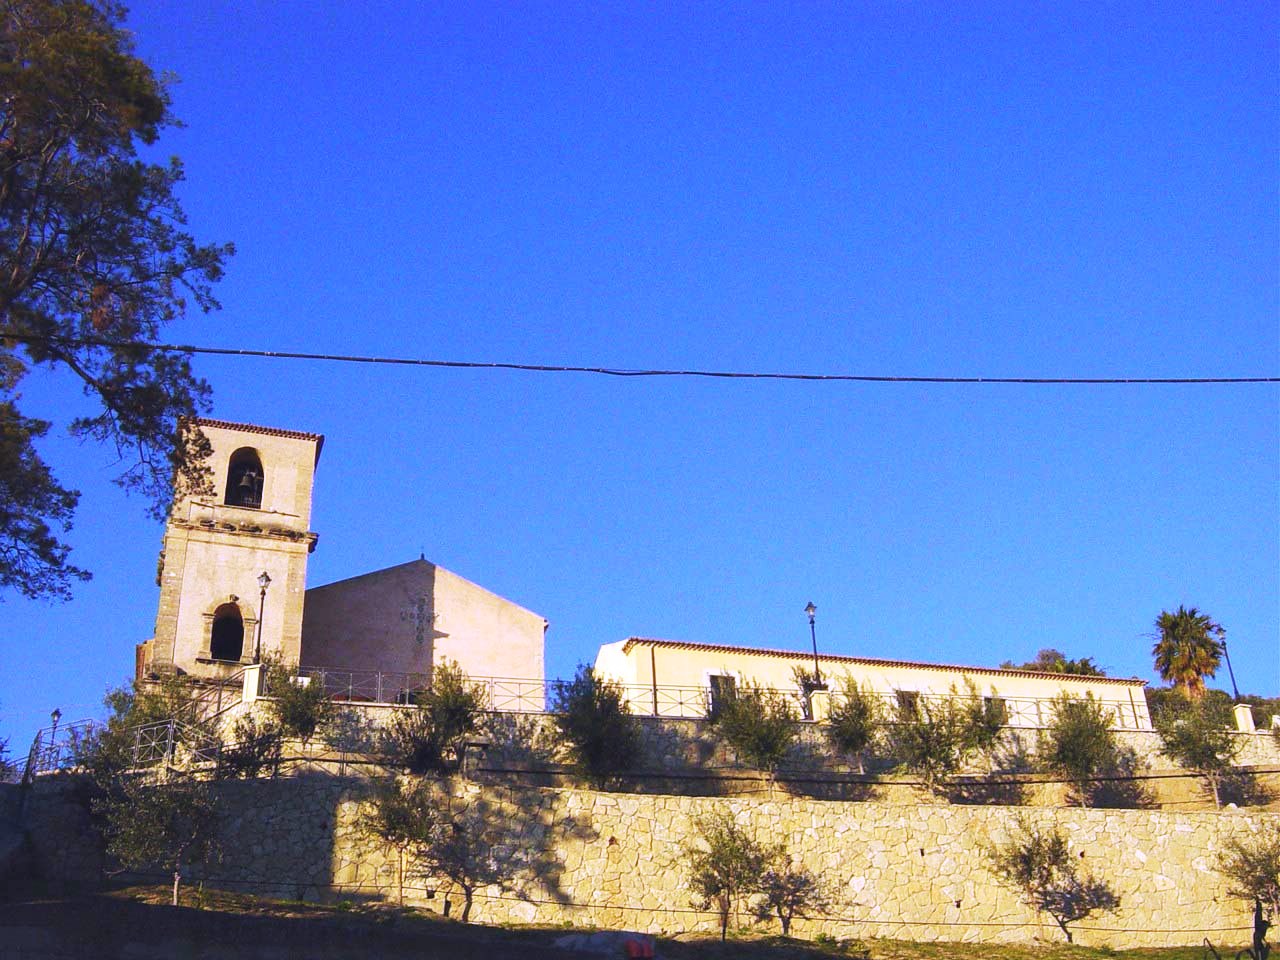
<point x="94" y="259"/>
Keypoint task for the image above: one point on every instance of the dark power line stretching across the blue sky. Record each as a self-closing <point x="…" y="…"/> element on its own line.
<point x="621" y="372"/>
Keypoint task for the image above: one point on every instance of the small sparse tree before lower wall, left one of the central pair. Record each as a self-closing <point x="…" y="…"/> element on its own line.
<point x="725" y="865"/>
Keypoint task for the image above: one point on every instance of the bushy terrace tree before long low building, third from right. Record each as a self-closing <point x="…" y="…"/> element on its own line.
<point x="936" y="738"/>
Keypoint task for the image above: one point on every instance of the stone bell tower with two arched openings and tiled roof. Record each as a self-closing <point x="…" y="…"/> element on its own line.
<point x="237" y="555"/>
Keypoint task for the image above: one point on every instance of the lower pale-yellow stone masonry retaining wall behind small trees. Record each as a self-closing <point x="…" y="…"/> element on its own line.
<point x="904" y="871"/>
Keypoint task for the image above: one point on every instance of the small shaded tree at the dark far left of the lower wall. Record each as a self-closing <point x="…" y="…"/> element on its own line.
<point x="164" y="824"/>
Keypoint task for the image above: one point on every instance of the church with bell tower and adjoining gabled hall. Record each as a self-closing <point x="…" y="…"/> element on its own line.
<point x="234" y="584"/>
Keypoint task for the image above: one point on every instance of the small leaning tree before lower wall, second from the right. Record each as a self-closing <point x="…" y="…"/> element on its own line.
<point x="1039" y="865"/>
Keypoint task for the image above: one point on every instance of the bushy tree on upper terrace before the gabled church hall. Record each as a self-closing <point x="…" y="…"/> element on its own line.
<point x="432" y="735"/>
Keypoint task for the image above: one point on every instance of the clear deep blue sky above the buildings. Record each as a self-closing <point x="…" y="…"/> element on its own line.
<point x="1002" y="190"/>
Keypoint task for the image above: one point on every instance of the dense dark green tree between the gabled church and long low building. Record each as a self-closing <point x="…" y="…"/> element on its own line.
<point x="600" y="735"/>
